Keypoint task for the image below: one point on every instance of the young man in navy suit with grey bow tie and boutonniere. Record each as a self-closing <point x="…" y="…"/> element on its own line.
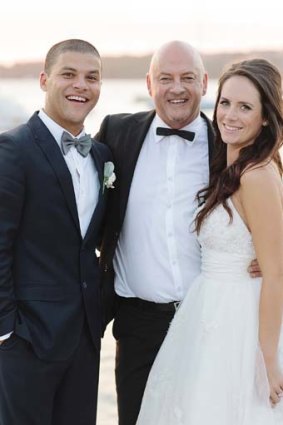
<point x="52" y="203"/>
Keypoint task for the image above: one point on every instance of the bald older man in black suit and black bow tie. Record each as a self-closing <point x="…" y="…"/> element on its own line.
<point x="162" y="159"/>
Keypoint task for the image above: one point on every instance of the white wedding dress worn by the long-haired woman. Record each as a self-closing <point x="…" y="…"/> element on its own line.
<point x="210" y="370"/>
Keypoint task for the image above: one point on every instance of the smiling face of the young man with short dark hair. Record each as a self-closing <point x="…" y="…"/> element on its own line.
<point x="72" y="89"/>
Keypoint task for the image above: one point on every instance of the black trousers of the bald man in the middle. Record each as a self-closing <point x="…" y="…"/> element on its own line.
<point x="139" y="334"/>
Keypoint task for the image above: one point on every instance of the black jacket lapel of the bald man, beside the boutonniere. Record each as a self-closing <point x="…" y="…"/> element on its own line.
<point x="131" y="150"/>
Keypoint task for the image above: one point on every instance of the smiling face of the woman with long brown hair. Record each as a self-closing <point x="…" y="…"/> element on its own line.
<point x="239" y="113"/>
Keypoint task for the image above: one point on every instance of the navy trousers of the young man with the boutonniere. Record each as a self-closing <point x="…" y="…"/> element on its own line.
<point x="37" y="392"/>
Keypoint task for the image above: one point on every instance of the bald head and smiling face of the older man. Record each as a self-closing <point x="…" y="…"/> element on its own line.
<point x="176" y="82"/>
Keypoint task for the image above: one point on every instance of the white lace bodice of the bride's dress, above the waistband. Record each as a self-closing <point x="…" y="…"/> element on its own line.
<point x="219" y="234"/>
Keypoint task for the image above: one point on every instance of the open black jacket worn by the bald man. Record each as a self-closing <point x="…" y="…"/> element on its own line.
<point x="124" y="134"/>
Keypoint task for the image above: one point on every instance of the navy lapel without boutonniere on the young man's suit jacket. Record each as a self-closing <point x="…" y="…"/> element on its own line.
<point x="51" y="150"/>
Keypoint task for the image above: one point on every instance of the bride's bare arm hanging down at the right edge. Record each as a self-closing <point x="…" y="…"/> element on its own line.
<point x="261" y="198"/>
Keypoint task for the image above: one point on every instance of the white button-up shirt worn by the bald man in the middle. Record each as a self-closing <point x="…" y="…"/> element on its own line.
<point x="158" y="255"/>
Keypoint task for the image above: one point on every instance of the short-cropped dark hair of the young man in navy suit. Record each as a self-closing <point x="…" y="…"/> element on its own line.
<point x="72" y="45"/>
